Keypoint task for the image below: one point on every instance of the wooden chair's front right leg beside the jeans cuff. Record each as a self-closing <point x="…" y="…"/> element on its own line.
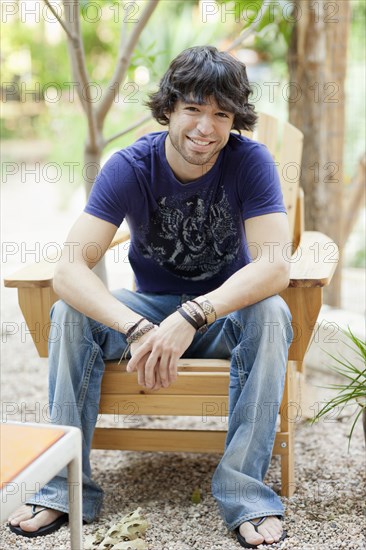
<point x="288" y="484"/>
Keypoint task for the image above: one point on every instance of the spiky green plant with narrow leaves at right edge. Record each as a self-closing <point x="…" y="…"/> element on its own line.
<point x="353" y="389"/>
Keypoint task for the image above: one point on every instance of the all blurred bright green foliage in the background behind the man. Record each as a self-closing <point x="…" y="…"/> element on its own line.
<point x="30" y="56"/>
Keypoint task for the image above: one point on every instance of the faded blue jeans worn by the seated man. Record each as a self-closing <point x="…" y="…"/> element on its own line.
<point x="257" y="340"/>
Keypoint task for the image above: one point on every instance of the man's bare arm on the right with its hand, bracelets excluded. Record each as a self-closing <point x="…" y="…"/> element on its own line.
<point x="267" y="275"/>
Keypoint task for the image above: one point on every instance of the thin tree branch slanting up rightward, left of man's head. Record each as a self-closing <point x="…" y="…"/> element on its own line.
<point x="124" y="56"/>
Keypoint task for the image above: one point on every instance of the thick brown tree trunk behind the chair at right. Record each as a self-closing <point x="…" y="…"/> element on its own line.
<point x="317" y="65"/>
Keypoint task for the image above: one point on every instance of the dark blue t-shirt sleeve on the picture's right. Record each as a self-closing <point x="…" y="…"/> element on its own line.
<point x="259" y="184"/>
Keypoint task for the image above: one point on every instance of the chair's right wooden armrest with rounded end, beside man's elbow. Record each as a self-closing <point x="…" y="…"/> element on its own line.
<point x="314" y="261"/>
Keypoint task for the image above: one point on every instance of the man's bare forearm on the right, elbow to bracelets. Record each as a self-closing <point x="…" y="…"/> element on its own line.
<point x="249" y="285"/>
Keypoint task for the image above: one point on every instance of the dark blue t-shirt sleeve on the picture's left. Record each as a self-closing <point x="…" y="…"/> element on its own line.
<point x="109" y="196"/>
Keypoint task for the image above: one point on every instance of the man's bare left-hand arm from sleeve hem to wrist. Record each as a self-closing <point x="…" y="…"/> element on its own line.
<point x="77" y="284"/>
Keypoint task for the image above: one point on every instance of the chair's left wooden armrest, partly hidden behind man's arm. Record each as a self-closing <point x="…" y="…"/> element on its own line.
<point x="40" y="275"/>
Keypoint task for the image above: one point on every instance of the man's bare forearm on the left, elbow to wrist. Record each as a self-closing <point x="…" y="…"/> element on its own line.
<point x="84" y="291"/>
